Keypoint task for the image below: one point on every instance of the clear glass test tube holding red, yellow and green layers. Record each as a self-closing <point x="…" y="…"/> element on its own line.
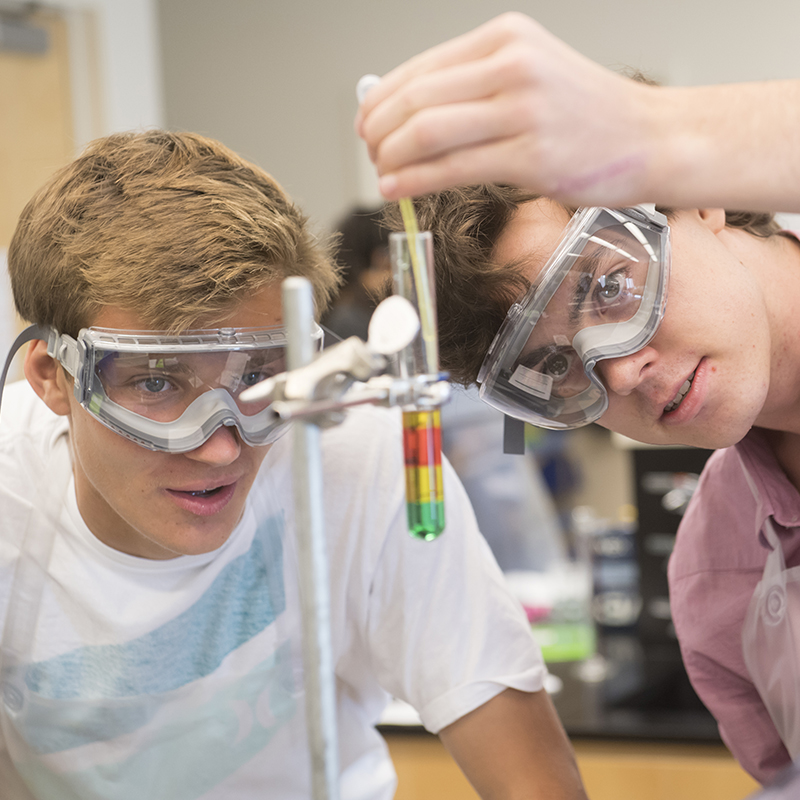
<point x="422" y="432"/>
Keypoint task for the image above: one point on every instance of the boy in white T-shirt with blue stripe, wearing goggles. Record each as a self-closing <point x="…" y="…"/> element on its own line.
<point x="148" y="586"/>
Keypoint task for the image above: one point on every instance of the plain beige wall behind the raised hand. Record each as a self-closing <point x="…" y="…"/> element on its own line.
<point x="274" y="79"/>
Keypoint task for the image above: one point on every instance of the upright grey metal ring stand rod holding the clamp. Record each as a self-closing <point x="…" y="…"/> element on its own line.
<point x="298" y="309"/>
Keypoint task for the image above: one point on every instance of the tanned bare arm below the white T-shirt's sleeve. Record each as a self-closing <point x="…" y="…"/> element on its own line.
<point x="514" y="747"/>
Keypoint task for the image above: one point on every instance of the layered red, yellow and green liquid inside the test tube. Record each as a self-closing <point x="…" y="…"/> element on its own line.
<point x="422" y="443"/>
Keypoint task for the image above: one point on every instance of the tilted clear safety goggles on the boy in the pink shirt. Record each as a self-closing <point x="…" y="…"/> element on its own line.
<point x="601" y="295"/>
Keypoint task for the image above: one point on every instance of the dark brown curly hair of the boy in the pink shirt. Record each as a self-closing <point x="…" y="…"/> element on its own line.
<point x="473" y="292"/>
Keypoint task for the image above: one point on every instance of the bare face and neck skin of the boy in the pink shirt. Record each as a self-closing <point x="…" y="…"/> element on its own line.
<point x="729" y="320"/>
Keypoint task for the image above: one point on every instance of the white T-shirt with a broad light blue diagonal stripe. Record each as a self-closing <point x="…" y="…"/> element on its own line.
<point x="182" y="679"/>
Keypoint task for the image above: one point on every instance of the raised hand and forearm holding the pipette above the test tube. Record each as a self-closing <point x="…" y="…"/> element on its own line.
<point x="510" y="103"/>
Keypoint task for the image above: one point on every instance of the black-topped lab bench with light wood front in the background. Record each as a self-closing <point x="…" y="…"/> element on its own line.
<point x="638" y="730"/>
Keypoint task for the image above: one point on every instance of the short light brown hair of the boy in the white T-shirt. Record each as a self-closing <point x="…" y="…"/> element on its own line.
<point x="172" y="226"/>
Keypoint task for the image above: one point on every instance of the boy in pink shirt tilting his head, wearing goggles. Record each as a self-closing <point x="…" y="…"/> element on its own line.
<point x="669" y="327"/>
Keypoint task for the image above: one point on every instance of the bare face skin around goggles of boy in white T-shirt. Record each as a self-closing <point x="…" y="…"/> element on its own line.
<point x="132" y="498"/>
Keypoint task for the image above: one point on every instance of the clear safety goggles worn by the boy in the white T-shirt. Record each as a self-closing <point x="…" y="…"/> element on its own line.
<point x="170" y="393"/>
